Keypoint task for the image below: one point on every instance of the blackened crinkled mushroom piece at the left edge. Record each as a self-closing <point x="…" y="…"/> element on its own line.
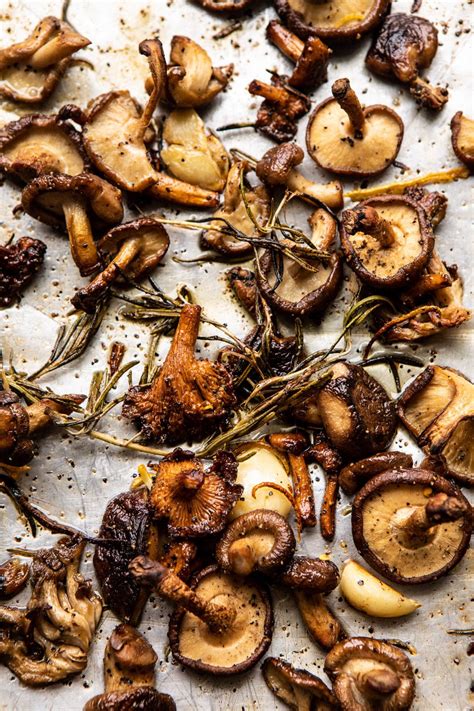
<point x="19" y="262"/>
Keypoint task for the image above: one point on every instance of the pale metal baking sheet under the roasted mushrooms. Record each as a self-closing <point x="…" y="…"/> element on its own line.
<point x="73" y="479"/>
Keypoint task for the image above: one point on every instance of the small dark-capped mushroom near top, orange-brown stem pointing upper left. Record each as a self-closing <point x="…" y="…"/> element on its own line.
<point x="311" y="57"/>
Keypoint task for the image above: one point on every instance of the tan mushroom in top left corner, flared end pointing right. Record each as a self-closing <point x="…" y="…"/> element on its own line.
<point x="30" y="70"/>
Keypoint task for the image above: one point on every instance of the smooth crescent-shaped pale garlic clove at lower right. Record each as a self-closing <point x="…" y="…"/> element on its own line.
<point x="367" y="593"/>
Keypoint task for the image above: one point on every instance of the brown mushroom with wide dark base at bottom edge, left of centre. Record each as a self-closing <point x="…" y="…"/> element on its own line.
<point x="129" y="675"/>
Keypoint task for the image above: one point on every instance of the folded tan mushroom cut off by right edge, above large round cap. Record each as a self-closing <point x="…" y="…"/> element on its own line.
<point x="438" y="410"/>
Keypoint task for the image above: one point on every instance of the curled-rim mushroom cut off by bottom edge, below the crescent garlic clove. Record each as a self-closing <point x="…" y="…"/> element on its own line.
<point x="369" y="674"/>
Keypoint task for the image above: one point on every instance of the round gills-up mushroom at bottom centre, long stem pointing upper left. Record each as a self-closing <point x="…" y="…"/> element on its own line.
<point x="222" y="625"/>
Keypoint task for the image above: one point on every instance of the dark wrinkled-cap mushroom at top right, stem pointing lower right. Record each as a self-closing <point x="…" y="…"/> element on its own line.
<point x="404" y="46"/>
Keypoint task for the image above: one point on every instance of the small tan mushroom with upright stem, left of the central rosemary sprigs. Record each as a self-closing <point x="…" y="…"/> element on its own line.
<point x="234" y="212"/>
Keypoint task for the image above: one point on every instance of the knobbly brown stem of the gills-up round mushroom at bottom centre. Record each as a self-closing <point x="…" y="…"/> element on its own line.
<point x="169" y="586"/>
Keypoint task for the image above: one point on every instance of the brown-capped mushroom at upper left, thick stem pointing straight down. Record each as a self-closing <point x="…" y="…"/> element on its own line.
<point x="73" y="200"/>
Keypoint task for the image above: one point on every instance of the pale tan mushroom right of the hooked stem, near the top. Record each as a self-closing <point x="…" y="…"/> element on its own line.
<point x="192" y="80"/>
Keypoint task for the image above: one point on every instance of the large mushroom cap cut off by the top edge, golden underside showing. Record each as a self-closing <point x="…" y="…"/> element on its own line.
<point x="330" y="20"/>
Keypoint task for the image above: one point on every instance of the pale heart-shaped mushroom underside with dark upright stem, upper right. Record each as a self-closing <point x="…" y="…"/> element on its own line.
<point x="345" y="138"/>
